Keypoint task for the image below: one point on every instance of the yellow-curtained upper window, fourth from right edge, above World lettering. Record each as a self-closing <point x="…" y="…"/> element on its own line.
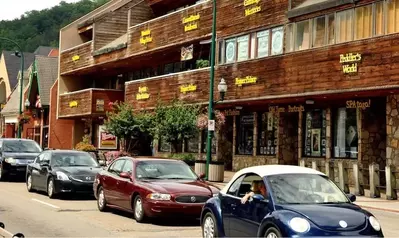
<point x="345" y="26"/>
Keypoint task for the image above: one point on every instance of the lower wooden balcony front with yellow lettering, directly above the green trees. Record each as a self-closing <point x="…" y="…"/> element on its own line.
<point x="190" y="86"/>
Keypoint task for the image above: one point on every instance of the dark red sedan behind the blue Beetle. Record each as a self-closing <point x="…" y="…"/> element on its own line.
<point x="151" y="187"/>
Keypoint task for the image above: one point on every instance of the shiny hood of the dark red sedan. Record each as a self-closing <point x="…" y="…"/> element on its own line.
<point x="178" y="187"/>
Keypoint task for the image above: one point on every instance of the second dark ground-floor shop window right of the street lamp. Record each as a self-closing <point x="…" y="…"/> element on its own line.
<point x="267" y="136"/>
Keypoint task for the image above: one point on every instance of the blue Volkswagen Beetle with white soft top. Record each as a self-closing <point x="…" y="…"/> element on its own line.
<point x="297" y="202"/>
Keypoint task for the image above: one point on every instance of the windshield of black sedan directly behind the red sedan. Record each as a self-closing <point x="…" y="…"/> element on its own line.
<point x="73" y="159"/>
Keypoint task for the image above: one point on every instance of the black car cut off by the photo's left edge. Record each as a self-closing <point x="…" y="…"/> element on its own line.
<point x="15" y="155"/>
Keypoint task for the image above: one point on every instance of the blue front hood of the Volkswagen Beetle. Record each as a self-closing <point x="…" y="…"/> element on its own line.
<point x="331" y="216"/>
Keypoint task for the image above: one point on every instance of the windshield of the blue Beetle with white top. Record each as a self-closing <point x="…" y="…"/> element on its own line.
<point x="305" y="189"/>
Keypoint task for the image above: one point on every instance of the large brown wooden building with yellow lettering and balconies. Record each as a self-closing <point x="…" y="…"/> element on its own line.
<point x="311" y="82"/>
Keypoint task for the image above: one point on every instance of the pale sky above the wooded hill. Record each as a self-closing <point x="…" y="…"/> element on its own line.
<point x="11" y="9"/>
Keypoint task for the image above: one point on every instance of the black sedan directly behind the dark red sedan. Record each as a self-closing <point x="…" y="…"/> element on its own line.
<point x="62" y="171"/>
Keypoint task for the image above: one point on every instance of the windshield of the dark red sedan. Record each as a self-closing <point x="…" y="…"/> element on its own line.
<point x="164" y="170"/>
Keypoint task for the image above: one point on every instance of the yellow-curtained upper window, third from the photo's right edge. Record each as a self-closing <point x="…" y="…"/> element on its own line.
<point x="363" y="22"/>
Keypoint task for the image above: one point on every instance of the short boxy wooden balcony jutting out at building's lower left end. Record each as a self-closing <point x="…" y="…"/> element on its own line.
<point x="88" y="102"/>
